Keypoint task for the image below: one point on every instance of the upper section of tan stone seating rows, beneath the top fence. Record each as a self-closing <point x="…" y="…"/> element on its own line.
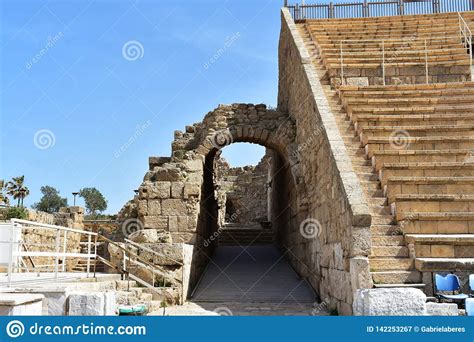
<point x="404" y="39"/>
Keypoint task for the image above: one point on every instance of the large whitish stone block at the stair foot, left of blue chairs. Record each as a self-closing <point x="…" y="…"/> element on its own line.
<point x="389" y="302"/>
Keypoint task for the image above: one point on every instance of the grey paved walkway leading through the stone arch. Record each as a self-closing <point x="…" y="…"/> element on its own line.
<point x="254" y="280"/>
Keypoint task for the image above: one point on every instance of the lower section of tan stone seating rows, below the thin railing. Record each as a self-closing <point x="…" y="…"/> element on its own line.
<point x="420" y="140"/>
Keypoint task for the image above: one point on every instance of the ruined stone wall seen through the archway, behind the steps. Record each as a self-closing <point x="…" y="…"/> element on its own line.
<point x="242" y="193"/>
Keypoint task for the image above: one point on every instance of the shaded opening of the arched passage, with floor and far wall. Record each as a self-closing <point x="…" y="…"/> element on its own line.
<point x="245" y="218"/>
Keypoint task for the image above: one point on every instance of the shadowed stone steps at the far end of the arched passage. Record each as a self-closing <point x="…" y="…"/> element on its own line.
<point x="241" y="234"/>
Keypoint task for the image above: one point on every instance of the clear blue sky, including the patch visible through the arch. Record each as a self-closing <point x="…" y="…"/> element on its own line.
<point x="80" y="109"/>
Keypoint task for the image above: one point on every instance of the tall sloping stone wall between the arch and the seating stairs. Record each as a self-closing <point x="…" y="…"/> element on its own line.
<point x="332" y="243"/>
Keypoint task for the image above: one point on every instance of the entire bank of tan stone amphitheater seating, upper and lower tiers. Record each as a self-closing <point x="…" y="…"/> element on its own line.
<point x="417" y="139"/>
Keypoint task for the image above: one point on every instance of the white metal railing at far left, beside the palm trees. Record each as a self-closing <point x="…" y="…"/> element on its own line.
<point x="18" y="247"/>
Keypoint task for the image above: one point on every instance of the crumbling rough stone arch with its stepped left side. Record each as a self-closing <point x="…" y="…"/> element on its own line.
<point x="171" y="197"/>
